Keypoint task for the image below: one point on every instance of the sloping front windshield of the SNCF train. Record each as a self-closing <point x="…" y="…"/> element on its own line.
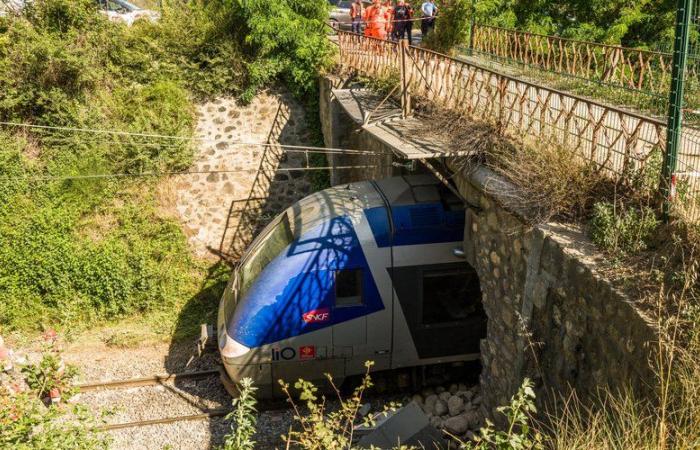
<point x="273" y="240"/>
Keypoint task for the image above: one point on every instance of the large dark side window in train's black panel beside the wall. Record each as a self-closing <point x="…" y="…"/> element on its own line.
<point x="450" y="296"/>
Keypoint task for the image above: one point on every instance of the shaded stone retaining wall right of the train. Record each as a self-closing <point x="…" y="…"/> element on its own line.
<point x="551" y="317"/>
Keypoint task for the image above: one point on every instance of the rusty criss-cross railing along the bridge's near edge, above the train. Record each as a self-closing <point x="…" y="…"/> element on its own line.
<point x="624" y="144"/>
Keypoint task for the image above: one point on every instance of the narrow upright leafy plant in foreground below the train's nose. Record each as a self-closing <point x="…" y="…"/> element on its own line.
<point x="243" y="419"/>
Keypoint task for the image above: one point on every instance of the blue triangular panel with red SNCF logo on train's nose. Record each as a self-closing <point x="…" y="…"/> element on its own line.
<point x="295" y="293"/>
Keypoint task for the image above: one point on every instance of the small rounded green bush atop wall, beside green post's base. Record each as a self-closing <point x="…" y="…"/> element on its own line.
<point x="622" y="229"/>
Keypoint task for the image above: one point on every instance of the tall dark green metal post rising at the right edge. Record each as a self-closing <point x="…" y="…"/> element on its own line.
<point x="675" y="109"/>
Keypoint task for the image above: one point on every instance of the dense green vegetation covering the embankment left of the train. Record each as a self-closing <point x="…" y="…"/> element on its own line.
<point x="76" y="251"/>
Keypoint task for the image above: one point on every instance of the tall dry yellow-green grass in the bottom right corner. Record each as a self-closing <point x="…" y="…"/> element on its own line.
<point x="670" y="420"/>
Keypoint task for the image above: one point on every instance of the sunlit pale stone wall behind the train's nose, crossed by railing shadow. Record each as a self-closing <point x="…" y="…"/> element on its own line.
<point x="240" y="187"/>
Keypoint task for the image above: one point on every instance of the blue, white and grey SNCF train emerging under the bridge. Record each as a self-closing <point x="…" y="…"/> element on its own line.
<point x="365" y="271"/>
